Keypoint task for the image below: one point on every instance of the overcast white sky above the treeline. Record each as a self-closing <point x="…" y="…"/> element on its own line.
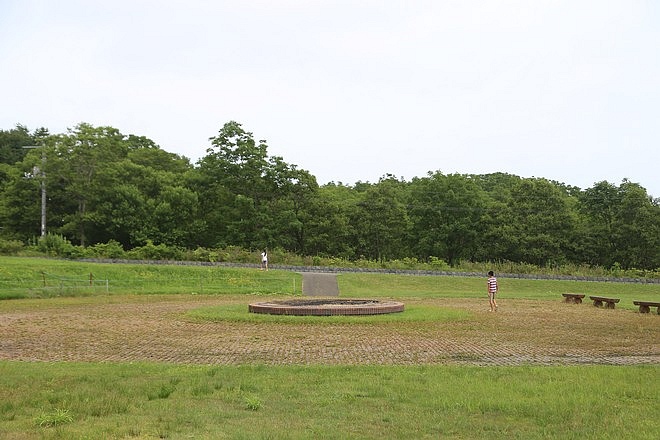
<point x="353" y="89"/>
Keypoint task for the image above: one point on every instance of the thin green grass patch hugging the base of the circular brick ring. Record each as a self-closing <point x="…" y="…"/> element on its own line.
<point x="412" y="313"/>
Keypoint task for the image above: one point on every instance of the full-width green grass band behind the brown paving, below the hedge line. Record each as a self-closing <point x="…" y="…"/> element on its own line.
<point x="24" y="278"/>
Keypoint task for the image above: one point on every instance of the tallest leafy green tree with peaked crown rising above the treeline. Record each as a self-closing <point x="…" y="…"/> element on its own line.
<point x="252" y="200"/>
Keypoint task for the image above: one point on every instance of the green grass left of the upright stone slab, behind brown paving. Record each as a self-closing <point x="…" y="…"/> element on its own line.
<point x="45" y="278"/>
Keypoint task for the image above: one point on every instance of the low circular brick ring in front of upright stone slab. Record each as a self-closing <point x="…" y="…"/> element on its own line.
<point x="326" y="307"/>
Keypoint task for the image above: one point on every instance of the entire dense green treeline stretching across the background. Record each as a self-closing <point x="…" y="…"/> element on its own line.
<point x="106" y="187"/>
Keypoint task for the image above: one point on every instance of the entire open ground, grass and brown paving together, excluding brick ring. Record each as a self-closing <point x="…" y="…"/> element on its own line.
<point x="168" y="361"/>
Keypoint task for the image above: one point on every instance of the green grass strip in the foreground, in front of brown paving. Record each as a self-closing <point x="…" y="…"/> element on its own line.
<point x="333" y="402"/>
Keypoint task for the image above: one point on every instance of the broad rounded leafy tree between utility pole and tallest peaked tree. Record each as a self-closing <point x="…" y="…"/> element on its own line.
<point x="105" y="185"/>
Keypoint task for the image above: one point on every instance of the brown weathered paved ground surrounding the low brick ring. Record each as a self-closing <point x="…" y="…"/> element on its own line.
<point x="156" y="329"/>
